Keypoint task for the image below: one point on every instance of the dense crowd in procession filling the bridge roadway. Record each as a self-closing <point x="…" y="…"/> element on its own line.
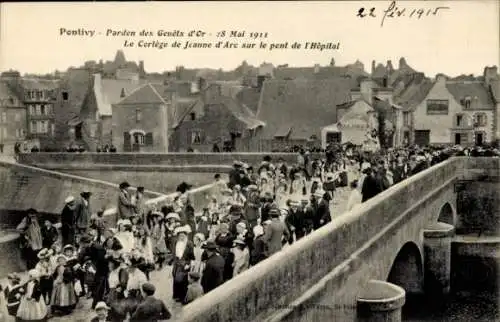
<point x="249" y="217"/>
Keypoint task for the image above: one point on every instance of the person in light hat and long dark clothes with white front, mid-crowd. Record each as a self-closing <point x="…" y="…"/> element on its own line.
<point x="183" y="255"/>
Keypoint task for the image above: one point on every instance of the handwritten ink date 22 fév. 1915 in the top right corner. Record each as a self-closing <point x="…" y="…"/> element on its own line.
<point x="394" y="11"/>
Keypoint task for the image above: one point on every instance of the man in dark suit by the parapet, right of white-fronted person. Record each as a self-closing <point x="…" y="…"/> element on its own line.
<point x="213" y="274"/>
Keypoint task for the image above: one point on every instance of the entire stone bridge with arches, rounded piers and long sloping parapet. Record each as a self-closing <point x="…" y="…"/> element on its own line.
<point x="364" y="263"/>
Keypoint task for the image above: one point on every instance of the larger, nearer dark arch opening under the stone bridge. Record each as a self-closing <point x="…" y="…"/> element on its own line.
<point x="407" y="269"/>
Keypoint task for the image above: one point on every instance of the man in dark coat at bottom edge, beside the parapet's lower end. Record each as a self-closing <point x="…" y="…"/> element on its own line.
<point x="151" y="309"/>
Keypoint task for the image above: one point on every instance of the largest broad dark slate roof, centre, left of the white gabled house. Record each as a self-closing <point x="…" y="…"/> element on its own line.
<point x="304" y="105"/>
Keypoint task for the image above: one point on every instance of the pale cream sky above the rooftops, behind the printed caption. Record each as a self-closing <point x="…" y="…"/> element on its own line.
<point x="460" y="40"/>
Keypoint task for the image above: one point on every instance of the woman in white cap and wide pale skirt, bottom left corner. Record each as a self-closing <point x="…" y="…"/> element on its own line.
<point x="32" y="307"/>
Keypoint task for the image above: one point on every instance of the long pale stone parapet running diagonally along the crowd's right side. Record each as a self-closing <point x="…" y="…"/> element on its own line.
<point x="255" y="294"/>
